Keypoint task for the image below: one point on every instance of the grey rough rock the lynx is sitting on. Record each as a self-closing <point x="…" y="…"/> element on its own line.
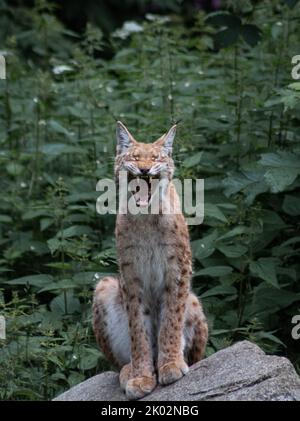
<point x="240" y="372"/>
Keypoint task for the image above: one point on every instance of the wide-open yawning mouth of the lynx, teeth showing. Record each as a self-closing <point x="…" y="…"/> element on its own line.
<point x="142" y="188"/>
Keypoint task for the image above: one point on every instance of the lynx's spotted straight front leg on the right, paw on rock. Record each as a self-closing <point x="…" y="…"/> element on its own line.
<point x="171" y="364"/>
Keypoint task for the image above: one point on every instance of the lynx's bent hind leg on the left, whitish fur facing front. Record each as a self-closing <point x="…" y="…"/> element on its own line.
<point x="110" y="322"/>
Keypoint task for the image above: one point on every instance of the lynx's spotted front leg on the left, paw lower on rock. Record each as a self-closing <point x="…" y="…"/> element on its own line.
<point x="141" y="377"/>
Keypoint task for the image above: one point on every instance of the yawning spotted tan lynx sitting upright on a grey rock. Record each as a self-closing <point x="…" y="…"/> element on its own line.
<point x="147" y="322"/>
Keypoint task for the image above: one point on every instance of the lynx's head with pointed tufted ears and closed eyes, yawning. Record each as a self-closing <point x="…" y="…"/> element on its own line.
<point x="144" y="161"/>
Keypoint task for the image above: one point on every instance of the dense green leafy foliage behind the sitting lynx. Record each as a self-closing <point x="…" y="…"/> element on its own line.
<point x="239" y="131"/>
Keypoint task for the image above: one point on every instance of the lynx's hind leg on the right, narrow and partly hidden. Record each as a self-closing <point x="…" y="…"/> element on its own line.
<point x="195" y="331"/>
